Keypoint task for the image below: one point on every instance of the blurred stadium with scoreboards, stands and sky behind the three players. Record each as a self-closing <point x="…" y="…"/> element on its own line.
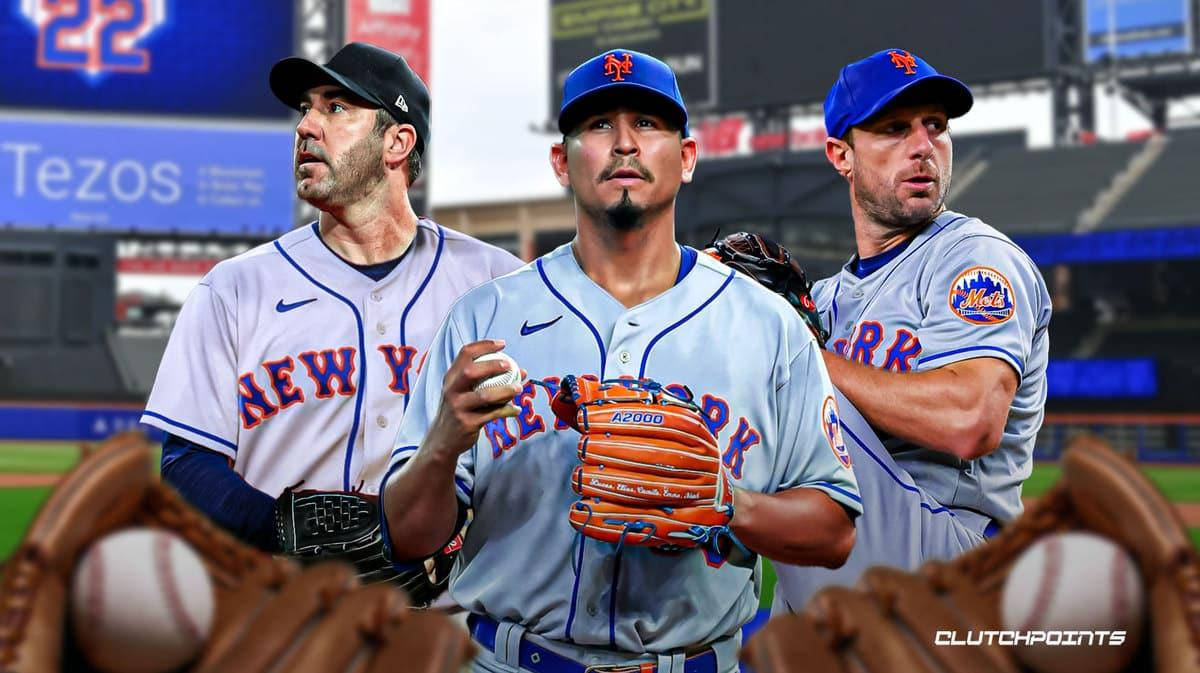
<point x="140" y="146"/>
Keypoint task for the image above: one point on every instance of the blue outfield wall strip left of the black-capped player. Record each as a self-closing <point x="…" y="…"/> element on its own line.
<point x="82" y="423"/>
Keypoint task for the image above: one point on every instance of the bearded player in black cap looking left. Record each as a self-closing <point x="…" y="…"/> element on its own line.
<point x="292" y="365"/>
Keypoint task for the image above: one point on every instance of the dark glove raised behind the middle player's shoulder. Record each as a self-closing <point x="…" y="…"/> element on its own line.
<point x="776" y="269"/>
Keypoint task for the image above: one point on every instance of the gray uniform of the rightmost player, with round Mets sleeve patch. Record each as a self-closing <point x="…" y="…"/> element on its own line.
<point x="959" y="290"/>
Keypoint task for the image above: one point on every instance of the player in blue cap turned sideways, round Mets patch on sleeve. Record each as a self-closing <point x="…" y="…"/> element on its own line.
<point x="938" y="332"/>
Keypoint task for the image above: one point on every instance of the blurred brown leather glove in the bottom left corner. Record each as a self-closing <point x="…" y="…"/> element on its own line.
<point x="269" y="614"/>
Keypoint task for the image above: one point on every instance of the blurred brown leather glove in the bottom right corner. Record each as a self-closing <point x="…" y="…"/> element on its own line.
<point x="891" y="622"/>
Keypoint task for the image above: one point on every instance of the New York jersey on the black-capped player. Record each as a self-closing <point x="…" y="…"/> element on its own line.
<point x="297" y="366"/>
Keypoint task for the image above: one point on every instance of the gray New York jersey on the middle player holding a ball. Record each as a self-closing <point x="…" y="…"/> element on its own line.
<point x="753" y="368"/>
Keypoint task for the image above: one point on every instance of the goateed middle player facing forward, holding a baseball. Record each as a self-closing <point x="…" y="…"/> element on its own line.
<point x="622" y="303"/>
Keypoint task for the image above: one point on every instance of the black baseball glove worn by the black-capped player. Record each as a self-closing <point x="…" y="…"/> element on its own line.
<point x="320" y="526"/>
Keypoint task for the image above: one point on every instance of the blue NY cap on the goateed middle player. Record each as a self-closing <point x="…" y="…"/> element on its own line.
<point x="621" y="77"/>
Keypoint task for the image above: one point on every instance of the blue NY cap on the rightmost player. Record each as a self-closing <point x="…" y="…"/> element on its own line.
<point x="865" y="88"/>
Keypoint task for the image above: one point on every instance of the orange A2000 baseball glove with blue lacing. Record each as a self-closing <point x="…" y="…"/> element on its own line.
<point x="651" y="473"/>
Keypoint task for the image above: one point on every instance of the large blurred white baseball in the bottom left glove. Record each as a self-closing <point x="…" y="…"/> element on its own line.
<point x="141" y="603"/>
